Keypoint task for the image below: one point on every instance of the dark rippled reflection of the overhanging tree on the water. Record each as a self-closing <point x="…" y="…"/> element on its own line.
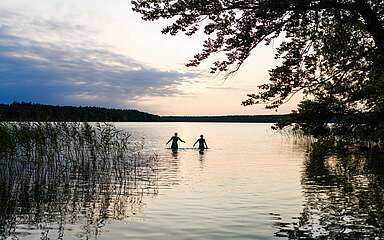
<point x="344" y="197"/>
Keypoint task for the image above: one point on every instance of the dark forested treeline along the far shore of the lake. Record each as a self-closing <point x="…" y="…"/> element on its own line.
<point x="38" y="112"/>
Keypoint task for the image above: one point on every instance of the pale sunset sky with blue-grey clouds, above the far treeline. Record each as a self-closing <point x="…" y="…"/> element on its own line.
<point x="100" y="53"/>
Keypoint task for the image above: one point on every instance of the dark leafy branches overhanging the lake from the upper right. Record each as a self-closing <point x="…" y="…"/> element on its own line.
<point x="331" y="49"/>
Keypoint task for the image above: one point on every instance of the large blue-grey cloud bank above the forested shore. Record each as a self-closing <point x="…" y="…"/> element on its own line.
<point x="35" y="66"/>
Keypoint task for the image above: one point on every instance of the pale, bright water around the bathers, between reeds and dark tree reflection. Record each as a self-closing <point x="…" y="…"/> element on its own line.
<point x="246" y="181"/>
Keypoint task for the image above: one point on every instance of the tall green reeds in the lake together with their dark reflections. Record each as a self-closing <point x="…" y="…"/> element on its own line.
<point x="56" y="175"/>
